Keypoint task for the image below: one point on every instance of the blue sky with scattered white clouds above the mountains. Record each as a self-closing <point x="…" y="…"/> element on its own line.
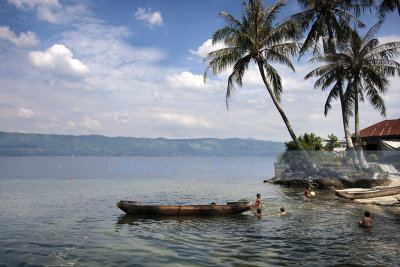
<point x="135" y="68"/>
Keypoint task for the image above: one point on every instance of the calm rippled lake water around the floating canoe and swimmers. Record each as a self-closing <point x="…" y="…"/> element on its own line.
<point x="61" y="212"/>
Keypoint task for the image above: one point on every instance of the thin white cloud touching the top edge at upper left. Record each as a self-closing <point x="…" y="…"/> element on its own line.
<point x="51" y="10"/>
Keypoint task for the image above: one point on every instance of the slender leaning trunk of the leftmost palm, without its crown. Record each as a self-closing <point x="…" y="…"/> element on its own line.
<point x="310" y="163"/>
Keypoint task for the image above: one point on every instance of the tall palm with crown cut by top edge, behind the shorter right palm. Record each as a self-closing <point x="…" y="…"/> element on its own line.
<point x="327" y="20"/>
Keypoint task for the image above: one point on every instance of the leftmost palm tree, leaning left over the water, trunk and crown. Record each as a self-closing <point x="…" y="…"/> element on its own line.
<point x="254" y="38"/>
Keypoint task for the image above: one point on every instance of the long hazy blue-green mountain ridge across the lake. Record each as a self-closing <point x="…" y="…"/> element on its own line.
<point x="29" y="144"/>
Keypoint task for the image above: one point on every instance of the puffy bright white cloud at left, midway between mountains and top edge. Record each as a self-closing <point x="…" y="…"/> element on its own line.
<point x="58" y="60"/>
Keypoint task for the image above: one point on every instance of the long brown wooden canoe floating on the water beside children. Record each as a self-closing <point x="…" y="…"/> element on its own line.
<point x="136" y="208"/>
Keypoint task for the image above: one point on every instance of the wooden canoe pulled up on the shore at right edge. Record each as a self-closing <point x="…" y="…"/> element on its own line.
<point x="360" y="193"/>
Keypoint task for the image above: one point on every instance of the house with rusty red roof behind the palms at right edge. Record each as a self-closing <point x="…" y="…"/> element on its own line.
<point x="382" y="139"/>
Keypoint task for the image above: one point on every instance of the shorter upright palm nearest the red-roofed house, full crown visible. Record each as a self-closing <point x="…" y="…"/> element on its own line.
<point x="365" y="66"/>
